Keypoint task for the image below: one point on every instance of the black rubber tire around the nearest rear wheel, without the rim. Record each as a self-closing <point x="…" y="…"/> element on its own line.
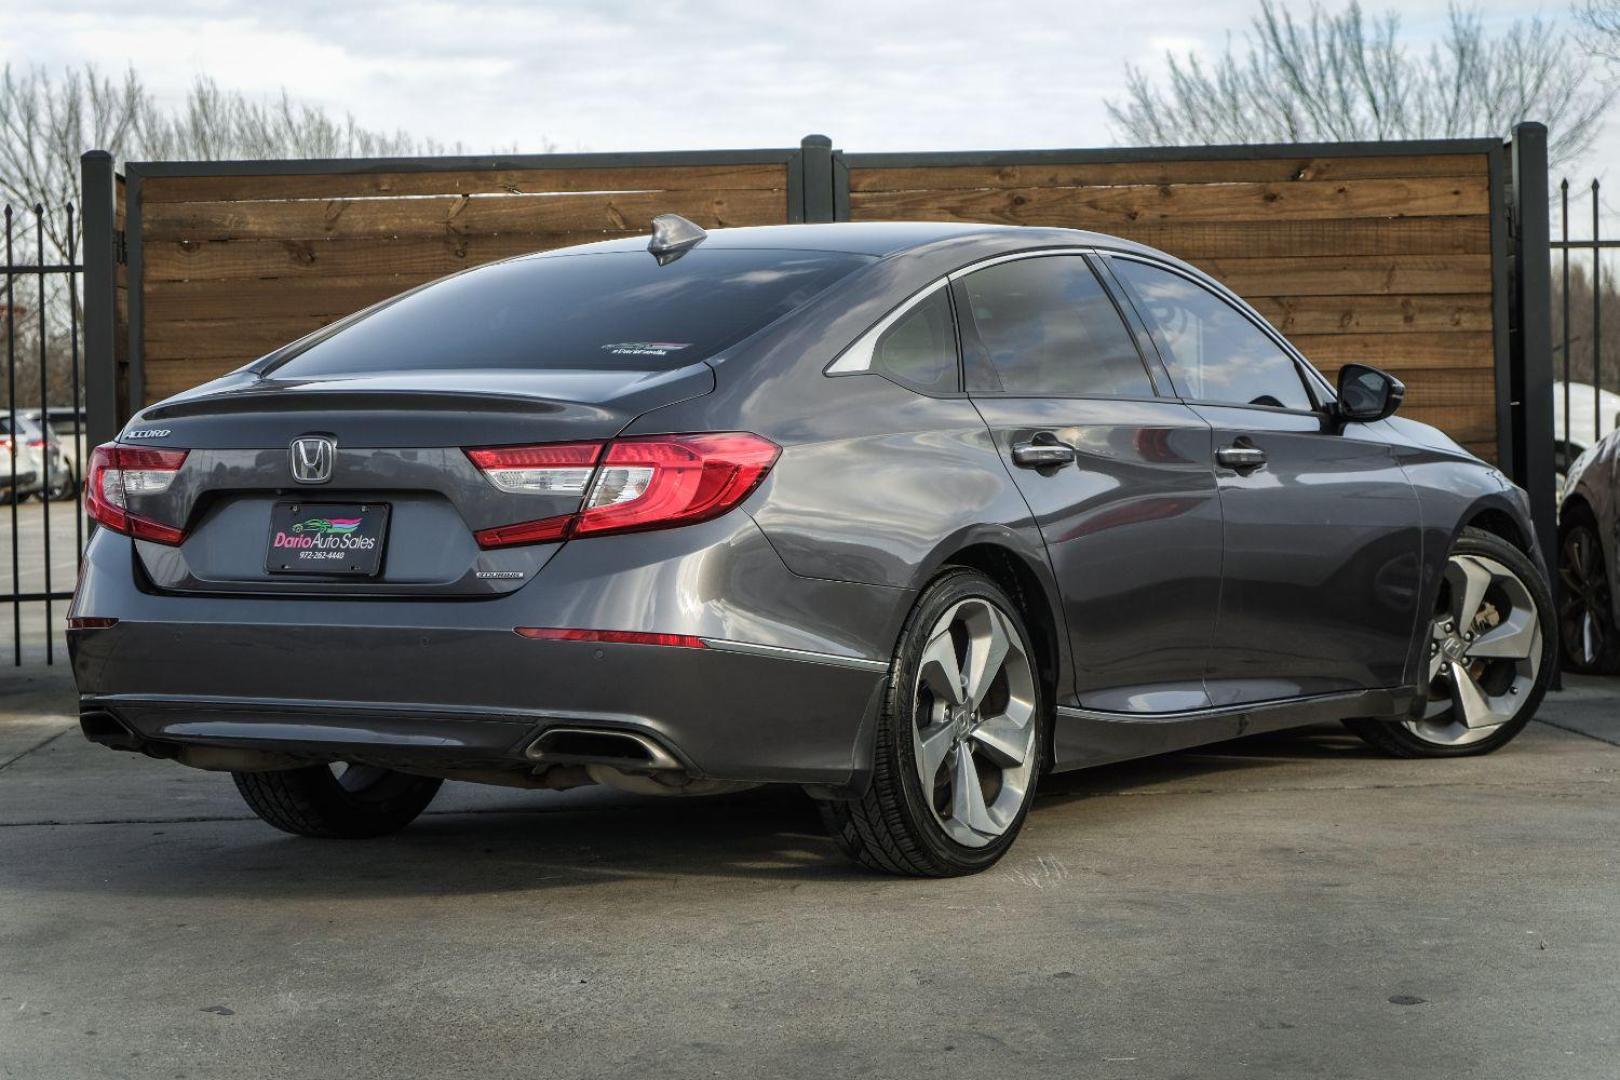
<point x="892" y="827"/>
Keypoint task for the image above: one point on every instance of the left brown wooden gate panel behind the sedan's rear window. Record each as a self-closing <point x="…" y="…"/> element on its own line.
<point x="236" y="265"/>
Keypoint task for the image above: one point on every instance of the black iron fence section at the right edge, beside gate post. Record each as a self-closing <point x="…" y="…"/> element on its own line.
<point x="1584" y="357"/>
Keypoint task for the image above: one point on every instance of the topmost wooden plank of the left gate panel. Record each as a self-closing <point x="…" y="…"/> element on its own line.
<point x="338" y="185"/>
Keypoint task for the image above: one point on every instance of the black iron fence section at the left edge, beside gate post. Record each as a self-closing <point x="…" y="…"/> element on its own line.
<point x="43" y="444"/>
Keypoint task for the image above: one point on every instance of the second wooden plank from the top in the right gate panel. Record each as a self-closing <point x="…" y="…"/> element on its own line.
<point x="1107" y="208"/>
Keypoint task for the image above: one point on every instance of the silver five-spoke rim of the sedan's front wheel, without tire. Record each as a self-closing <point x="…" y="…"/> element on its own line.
<point x="1485" y="653"/>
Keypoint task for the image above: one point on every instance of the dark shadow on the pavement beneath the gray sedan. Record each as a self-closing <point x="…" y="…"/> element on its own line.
<point x="509" y="843"/>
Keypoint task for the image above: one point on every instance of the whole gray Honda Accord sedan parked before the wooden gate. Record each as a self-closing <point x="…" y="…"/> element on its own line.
<point x="905" y="514"/>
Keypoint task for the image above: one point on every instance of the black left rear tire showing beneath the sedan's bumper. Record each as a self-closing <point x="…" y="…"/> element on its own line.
<point x="315" y="802"/>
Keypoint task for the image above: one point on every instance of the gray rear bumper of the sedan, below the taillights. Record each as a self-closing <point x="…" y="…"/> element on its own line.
<point x="450" y="686"/>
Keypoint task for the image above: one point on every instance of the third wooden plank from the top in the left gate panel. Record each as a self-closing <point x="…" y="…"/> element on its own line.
<point x="313" y="260"/>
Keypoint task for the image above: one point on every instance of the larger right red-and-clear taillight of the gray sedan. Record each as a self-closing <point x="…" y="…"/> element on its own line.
<point x="631" y="485"/>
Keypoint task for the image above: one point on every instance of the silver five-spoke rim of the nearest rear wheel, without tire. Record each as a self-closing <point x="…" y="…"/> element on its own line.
<point x="974" y="738"/>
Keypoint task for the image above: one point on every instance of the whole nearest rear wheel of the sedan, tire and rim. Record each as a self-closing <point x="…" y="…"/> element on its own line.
<point x="960" y="744"/>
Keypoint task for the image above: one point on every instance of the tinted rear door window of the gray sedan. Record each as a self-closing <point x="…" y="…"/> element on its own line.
<point x="1046" y="328"/>
